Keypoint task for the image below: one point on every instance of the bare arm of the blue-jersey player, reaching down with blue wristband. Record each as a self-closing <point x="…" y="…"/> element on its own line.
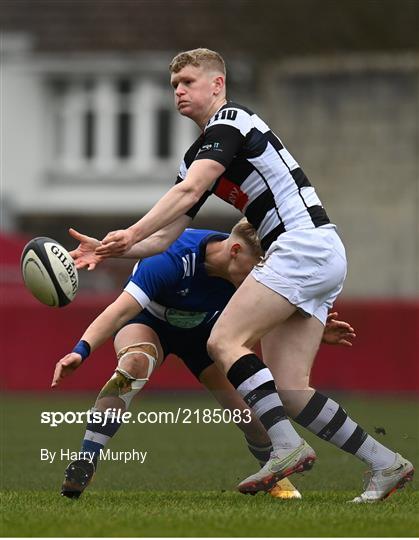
<point x="104" y="326"/>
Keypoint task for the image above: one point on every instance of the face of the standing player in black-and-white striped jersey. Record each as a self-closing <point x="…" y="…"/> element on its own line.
<point x="195" y="91"/>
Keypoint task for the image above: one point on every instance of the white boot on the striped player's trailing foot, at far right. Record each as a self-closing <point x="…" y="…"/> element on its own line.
<point x="382" y="483"/>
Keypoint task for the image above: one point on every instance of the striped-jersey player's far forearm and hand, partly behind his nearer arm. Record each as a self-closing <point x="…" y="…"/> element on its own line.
<point x="85" y="255"/>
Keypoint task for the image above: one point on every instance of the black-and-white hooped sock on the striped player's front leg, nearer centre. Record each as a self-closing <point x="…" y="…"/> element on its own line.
<point x="254" y="382"/>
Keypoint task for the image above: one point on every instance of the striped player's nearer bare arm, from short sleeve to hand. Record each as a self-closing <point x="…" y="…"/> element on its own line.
<point x="175" y="203"/>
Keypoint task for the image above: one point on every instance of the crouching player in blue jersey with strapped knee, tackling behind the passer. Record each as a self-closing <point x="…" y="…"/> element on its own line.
<point x="169" y="305"/>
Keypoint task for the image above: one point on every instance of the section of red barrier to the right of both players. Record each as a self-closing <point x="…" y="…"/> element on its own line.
<point x="385" y="354"/>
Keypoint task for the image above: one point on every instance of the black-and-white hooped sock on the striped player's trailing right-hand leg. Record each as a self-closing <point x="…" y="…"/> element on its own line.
<point x="329" y="421"/>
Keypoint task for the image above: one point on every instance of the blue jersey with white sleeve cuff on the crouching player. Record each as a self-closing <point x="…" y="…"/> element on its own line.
<point x="174" y="286"/>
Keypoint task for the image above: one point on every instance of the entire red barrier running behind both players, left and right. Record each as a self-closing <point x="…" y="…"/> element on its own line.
<point x="383" y="358"/>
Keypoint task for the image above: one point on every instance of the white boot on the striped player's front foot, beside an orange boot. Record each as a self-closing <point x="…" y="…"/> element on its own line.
<point x="279" y="466"/>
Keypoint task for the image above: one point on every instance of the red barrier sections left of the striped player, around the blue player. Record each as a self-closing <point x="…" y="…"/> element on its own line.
<point x="35" y="337"/>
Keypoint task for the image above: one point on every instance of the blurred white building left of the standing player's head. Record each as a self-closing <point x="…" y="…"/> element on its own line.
<point x="87" y="134"/>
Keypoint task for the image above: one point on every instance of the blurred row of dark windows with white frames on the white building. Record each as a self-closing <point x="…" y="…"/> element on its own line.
<point x="105" y="124"/>
